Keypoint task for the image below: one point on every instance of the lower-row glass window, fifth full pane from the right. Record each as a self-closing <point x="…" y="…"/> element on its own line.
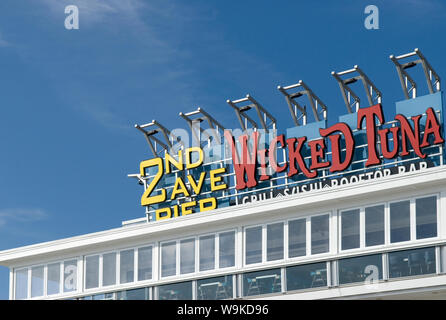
<point x="215" y="288"/>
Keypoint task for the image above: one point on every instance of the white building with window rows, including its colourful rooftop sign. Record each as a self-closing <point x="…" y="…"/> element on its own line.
<point x="357" y="220"/>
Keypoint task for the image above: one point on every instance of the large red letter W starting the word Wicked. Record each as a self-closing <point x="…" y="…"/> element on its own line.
<point x="248" y="163"/>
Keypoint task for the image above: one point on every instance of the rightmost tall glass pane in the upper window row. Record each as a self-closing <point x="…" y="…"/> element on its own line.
<point x="426" y="217"/>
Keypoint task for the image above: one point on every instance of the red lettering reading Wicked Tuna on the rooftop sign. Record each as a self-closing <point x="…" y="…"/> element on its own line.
<point x="401" y="135"/>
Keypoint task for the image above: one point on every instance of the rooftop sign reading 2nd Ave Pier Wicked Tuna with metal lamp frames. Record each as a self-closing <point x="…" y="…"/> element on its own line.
<point x="233" y="167"/>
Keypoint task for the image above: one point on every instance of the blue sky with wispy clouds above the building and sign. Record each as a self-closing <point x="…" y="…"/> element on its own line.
<point x="69" y="98"/>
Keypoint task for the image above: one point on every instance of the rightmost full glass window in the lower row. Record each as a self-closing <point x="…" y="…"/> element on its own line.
<point x="412" y="262"/>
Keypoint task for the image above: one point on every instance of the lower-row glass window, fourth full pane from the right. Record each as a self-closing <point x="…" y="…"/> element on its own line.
<point x="262" y="282"/>
